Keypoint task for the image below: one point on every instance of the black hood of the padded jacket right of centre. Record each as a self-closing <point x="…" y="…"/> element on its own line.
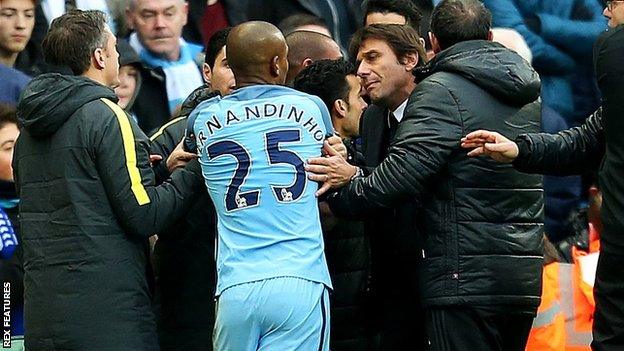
<point x="500" y="71"/>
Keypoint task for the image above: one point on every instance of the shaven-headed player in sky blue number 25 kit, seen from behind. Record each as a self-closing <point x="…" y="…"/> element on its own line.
<point x="272" y="274"/>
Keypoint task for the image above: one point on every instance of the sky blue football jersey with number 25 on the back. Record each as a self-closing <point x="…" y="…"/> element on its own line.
<point x="252" y="147"/>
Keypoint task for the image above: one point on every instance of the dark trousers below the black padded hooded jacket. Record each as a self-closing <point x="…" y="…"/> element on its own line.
<point x="467" y="328"/>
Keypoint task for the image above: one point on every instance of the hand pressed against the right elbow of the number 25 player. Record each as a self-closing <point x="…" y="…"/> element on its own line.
<point x="332" y="170"/>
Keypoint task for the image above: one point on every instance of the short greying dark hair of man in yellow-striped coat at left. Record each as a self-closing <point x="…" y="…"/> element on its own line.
<point x="73" y="38"/>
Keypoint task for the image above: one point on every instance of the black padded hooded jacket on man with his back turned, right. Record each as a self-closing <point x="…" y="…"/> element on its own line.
<point x="481" y="222"/>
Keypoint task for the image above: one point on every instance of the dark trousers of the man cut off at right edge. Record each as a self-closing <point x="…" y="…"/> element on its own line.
<point x="609" y="295"/>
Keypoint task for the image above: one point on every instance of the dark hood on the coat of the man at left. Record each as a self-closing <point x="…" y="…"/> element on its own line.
<point x="50" y="99"/>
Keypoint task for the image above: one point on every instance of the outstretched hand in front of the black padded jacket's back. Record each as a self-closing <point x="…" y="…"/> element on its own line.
<point x="495" y="145"/>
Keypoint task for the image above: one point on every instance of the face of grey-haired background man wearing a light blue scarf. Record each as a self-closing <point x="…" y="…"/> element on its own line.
<point x="158" y="24"/>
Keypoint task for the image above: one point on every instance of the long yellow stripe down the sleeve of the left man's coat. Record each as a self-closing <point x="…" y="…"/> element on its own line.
<point x="128" y="142"/>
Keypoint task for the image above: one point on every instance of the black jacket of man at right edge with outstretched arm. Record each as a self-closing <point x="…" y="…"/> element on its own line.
<point x="597" y="144"/>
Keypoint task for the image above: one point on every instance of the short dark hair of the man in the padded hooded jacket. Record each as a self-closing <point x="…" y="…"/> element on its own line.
<point x="454" y="21"/>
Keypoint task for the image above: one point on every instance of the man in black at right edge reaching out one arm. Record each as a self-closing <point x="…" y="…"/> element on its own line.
<point x="595" y="145"/>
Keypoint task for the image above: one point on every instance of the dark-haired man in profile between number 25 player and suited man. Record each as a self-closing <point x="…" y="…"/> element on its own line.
<point x="347" y="247"/>
